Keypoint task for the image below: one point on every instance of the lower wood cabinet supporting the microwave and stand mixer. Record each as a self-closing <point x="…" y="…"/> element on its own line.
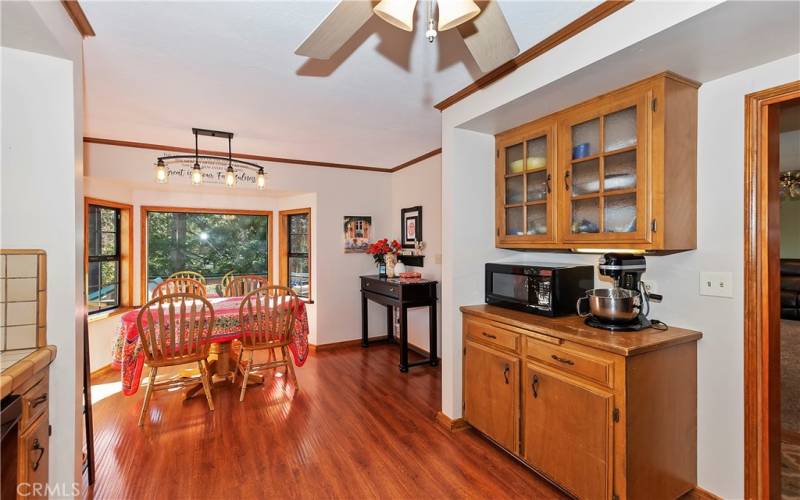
<point x="600" y="424"/>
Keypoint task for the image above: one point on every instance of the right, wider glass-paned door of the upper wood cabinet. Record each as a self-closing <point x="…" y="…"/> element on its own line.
<point x="603" y="174"/>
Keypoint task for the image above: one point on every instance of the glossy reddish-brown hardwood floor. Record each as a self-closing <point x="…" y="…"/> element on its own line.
<point x="357" y="429"/>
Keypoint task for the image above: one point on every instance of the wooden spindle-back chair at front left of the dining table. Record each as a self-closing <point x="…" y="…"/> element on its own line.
<point x="175" y="330"/>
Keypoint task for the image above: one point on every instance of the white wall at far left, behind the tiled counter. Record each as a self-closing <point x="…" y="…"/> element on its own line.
<point x="42" y="166"/>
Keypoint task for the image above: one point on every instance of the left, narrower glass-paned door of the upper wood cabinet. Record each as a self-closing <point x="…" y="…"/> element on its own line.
<point x="527" y="165"/>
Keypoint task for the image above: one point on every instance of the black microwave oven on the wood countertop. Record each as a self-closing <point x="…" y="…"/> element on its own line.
<point x="547" y="289"/>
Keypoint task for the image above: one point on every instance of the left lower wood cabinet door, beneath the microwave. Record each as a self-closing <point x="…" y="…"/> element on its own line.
<point x="491" y="390"/>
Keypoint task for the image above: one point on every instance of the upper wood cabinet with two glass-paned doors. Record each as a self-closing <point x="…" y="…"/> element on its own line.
<point x="617" y="171"/>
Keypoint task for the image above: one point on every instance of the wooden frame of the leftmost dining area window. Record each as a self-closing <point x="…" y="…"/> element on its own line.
<point x="124" y="254"/>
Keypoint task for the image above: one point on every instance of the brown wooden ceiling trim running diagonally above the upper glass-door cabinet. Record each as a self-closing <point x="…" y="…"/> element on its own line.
<point x="587" y="20"/>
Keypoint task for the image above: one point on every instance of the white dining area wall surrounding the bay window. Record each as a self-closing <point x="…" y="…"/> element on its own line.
<point x="126" y="175"/>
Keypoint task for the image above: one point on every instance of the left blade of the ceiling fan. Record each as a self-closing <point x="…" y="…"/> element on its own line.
<point x="334" y="31"/>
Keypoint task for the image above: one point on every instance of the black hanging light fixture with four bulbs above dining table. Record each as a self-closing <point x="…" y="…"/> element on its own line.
<point x="197" y="162"/>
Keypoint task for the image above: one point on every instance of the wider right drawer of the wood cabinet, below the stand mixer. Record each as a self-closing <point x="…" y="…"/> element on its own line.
<point x="579" y="363"/>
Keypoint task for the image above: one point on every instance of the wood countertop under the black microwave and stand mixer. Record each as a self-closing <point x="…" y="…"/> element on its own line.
<point x="573" y="329"/>
